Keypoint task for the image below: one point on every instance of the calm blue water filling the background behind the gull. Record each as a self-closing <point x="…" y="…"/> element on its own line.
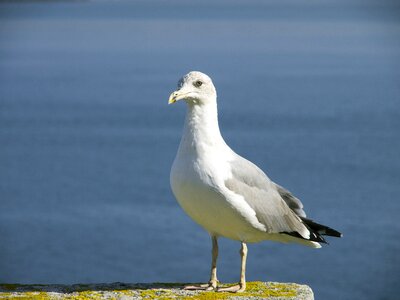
<point x="308" y="90"/>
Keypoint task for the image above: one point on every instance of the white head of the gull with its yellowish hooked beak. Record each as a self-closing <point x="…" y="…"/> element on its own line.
<point x="195" y="88"/>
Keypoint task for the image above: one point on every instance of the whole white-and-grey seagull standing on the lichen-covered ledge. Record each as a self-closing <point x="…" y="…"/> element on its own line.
<point x="225" y="193"/>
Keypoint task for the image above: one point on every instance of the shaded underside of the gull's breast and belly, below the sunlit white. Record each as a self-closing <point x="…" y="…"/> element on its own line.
<point x="207" y="206"/>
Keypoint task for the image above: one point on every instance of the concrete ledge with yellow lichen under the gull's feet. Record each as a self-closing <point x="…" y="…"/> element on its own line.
<point x="255" y="290"/>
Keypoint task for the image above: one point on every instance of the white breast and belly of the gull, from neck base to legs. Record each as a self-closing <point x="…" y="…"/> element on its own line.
<point x="198" y="185"/>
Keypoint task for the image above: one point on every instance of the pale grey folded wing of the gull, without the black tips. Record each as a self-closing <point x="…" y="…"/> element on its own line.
<point x="275" y="207"/>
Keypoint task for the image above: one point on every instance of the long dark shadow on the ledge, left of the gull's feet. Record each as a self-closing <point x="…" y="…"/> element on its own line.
<point x="73" y="288"/>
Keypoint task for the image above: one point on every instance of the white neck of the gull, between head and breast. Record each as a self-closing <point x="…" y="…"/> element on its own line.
<point x="201" y="130"/>
